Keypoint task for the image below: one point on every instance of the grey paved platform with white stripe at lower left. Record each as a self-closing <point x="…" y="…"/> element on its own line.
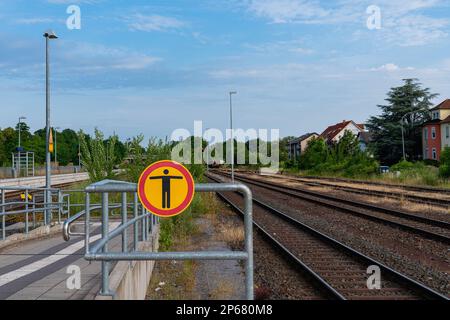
<point x="37" y="269"/>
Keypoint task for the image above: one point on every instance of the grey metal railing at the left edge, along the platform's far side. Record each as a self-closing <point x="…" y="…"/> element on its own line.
<point x="15" y="201"/>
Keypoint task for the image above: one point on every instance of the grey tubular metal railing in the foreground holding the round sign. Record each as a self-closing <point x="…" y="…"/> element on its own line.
<point x="100" y="251"/>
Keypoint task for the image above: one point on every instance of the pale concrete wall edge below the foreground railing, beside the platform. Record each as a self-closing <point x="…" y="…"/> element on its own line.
<point x="130" y="280"/>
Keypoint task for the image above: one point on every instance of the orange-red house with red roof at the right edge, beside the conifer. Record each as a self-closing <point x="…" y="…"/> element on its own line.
<point x="436" y="132"/>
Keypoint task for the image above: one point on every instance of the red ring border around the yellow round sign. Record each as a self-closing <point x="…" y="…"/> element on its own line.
<point x="175" y="211"/>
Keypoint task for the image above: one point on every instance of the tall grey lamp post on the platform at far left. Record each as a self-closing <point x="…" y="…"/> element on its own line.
<point x="49" y="35"/>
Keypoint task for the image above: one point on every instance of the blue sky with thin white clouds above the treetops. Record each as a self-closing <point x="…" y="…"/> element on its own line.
<point x="152" y="67"/>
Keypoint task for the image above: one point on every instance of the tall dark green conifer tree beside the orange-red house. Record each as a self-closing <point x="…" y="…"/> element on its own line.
<point x="386" y="128"/>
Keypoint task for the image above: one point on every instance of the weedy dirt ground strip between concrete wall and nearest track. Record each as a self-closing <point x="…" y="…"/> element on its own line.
<point x="203" y="280"/>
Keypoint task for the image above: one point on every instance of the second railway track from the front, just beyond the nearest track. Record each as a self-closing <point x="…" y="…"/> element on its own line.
<point x="430" y="228"/>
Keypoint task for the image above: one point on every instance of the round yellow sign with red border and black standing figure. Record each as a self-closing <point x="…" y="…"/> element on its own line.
<point x="166" y="188"/>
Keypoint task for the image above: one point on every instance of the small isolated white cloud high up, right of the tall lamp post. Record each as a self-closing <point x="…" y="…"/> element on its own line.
<point x="151" y="23"/>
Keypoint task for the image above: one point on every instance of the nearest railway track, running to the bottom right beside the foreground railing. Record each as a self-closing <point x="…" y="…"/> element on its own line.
<point x="339" y="271"/>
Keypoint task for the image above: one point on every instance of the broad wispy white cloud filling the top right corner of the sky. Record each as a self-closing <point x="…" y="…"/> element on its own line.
<point x="404" y="22"/>
